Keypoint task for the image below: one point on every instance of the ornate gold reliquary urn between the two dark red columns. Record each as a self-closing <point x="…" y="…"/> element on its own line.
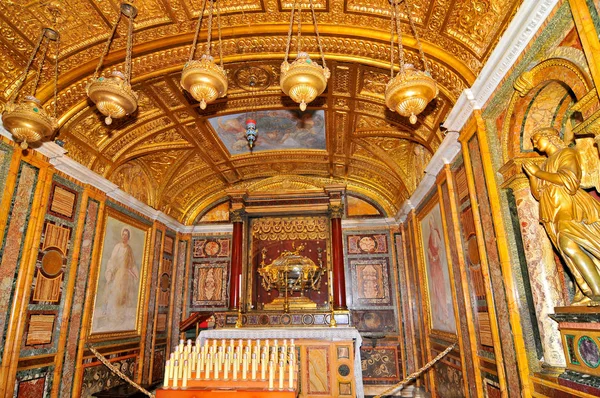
<point x="289" y="273"/>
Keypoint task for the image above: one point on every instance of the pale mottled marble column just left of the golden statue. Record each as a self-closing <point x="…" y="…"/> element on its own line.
<point x="543" y="274"/>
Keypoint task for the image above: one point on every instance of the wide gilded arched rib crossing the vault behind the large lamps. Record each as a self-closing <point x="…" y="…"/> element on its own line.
<point x="366" y="45"/>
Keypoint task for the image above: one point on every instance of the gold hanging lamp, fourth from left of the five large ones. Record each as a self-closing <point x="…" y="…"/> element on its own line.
<point x="303" y="80"/>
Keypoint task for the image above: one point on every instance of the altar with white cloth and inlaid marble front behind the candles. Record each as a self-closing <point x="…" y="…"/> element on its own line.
<point x="329" y="357"/>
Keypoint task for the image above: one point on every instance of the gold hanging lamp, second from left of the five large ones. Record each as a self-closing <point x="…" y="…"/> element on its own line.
<point x="113" y="96"/>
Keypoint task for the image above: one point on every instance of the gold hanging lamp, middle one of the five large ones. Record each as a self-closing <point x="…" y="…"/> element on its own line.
<point x="204" y="79"/>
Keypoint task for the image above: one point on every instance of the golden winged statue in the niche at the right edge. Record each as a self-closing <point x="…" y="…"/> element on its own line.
<point x="570" y="215"/>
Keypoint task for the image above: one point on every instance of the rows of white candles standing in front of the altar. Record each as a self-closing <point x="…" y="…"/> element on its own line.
<point x="211" y="361"/>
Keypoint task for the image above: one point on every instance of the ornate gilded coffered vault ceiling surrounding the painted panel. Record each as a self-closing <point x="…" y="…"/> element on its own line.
<point x="168" y="155"/>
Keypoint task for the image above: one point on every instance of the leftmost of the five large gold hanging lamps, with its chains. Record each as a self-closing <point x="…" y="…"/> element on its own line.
<point x="27" y="120"/>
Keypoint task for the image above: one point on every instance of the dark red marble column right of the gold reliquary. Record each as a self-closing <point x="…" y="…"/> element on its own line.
<point x="337" y="258"/>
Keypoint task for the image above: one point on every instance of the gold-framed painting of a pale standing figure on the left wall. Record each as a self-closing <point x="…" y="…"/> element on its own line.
<point x="121" y="267"/>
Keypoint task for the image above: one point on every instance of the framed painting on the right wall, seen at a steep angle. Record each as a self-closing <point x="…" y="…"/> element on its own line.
<point x="439" y="294"/>
